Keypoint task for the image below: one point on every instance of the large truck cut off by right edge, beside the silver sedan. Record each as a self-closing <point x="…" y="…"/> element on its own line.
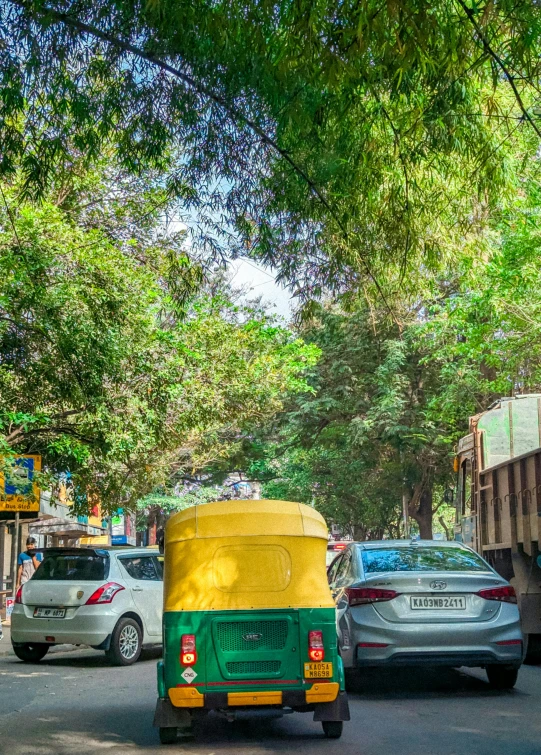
<point x="499" y="500"/>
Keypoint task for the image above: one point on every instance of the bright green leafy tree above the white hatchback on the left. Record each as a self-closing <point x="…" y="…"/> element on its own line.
<point x="108" y="372"/>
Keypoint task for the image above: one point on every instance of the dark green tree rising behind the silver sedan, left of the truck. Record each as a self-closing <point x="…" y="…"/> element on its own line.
<point x="367" y="438"/>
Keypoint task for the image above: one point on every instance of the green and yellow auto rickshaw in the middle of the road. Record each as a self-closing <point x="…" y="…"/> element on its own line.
<point x="249" y="620"/>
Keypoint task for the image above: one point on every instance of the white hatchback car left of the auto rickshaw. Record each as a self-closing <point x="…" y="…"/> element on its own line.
<point x="110" y="599"/>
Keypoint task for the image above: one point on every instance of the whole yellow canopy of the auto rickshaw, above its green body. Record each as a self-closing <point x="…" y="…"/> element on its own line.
<point x="233" y="555"/>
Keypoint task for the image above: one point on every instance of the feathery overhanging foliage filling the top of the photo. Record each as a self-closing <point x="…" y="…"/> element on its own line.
<point x="338" y="140"/>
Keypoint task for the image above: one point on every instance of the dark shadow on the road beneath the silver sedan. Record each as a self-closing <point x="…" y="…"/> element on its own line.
<point x="419" y="683"/>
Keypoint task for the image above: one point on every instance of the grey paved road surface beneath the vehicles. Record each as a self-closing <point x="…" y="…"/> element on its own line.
<point x="74" y="704"/>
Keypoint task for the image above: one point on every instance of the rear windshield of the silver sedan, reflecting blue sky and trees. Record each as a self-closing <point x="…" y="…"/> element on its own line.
<point x="417" y="558"/>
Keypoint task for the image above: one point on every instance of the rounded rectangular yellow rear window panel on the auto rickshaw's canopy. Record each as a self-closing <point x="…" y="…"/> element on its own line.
<point x="251" y="568"/>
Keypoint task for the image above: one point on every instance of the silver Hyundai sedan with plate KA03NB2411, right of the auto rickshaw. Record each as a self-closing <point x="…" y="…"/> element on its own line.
<point x="402" y="602"/>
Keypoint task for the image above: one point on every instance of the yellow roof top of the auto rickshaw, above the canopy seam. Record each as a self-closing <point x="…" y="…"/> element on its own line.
<point x="246" y="518"/>
